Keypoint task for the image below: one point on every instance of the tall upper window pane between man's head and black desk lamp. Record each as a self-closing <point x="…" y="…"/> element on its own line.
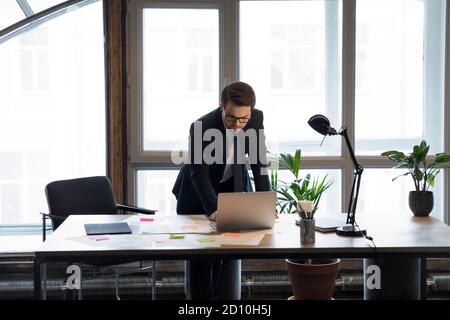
<point x="289" y="53"/>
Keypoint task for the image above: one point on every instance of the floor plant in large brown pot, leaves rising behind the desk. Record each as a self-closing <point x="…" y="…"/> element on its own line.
<point x="311" y="279"/>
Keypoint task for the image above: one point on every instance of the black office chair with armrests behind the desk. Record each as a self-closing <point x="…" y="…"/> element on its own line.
<point x="90" y="195"/>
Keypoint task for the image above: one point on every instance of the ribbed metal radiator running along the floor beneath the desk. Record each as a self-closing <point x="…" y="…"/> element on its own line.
<point x="170" y="285"/>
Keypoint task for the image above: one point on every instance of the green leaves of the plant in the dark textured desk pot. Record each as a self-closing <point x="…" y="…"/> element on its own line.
<point x="422" y="172"/>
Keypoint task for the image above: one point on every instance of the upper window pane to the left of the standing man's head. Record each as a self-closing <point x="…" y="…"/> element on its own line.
<point x="180" y="73"/>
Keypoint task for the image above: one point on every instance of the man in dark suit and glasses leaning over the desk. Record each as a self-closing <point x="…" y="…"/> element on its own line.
<point x="213" y="167"/>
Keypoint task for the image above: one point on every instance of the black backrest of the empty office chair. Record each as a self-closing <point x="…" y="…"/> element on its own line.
<point x="90" y="195"/>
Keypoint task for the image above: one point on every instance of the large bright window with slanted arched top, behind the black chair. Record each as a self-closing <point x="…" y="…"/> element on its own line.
<point x="52" y="110"/>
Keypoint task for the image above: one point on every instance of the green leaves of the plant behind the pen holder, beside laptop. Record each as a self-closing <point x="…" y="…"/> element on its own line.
<point x="306" y="188"/>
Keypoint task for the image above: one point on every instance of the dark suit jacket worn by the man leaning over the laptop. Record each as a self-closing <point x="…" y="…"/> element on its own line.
<point x="197" y="185"/>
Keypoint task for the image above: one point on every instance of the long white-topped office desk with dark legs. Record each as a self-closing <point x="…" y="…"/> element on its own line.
<point x="412" y="237"/>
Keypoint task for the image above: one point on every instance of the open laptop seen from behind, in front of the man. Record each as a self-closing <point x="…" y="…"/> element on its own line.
<point x="245" y="210"/>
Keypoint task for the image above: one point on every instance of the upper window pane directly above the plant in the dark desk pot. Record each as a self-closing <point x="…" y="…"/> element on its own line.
<point x="399" y="75"/>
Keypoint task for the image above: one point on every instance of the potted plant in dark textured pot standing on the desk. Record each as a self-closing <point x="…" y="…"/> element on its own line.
<point x="422" y="172"/>
